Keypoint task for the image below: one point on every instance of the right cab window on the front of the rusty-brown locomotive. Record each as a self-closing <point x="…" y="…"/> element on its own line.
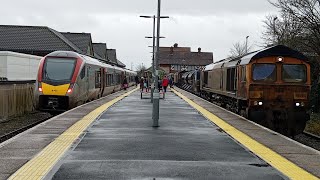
<point x="294" y="73"/>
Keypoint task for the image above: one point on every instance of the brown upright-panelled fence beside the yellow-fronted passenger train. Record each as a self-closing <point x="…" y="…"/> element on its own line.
<point x="16" y="99"/>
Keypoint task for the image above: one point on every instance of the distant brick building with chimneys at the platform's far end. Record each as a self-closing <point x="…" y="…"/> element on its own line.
<point x="174" y="59"/>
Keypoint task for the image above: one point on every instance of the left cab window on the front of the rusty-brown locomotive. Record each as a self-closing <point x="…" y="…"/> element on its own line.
<point x="264" y="72"/>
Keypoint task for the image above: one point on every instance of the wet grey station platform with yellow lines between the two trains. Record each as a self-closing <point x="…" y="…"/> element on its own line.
<point x="113" y="138"/>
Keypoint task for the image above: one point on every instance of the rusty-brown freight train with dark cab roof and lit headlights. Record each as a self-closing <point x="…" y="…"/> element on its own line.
<point x="270" y="86"/>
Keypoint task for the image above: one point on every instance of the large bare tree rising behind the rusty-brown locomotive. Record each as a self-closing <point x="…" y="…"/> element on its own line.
<point x="300" y="24"/>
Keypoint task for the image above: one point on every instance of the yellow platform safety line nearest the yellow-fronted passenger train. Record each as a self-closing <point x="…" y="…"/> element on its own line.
<point x="44" y="161"/>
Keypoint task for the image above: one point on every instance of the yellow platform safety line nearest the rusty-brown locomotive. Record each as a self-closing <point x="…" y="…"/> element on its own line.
<point x="274" y="159"/>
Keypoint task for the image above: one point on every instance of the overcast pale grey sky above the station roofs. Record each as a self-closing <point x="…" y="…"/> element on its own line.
<point x="213" y="25"/>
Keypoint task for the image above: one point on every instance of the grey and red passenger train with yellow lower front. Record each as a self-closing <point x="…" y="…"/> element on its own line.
<point x="67" y="79"/>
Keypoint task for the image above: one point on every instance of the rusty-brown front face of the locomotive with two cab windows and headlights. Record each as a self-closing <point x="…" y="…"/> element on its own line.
<point x="278" y="93"/>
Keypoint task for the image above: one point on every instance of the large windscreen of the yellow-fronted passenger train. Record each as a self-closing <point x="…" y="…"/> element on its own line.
<point x="58" y="69"/>
